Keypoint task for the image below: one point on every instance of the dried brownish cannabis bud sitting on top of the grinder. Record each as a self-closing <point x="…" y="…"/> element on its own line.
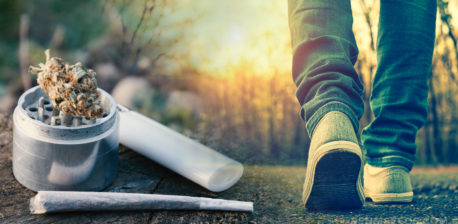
<point x="71" y="89"/>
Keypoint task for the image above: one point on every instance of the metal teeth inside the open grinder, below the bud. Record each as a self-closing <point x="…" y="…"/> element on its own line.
<point x="43" y="111"/>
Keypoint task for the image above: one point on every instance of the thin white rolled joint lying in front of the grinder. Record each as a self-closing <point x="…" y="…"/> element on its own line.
<point x="73" y="201"/>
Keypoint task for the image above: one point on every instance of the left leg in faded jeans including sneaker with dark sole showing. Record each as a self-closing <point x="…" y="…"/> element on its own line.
<point x="329" y="91"/>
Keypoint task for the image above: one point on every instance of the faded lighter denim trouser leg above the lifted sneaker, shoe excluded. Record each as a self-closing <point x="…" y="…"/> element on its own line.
<point x="324" y="52"/>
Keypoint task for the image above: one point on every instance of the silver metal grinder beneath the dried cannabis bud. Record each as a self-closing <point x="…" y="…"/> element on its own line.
<point x="56" y="151"/>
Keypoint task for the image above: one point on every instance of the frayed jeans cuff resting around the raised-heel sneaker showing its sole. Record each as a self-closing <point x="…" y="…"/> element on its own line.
<point x="331" y="106"/>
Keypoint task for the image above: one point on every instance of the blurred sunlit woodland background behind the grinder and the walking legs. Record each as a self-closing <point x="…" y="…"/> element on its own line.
<point x="215" y="70"/>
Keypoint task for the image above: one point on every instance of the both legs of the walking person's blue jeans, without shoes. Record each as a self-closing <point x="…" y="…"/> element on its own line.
<point x="325" y="51"/>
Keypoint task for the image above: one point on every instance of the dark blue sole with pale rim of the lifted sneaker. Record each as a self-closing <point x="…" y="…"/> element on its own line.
<point x="333" y="179"/>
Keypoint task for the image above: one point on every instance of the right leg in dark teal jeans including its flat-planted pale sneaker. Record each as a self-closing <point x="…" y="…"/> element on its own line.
<point x="399" y="101"/>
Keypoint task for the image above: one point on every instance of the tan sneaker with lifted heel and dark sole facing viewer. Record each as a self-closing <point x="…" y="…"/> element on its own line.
<point x="334" y="164"/>
